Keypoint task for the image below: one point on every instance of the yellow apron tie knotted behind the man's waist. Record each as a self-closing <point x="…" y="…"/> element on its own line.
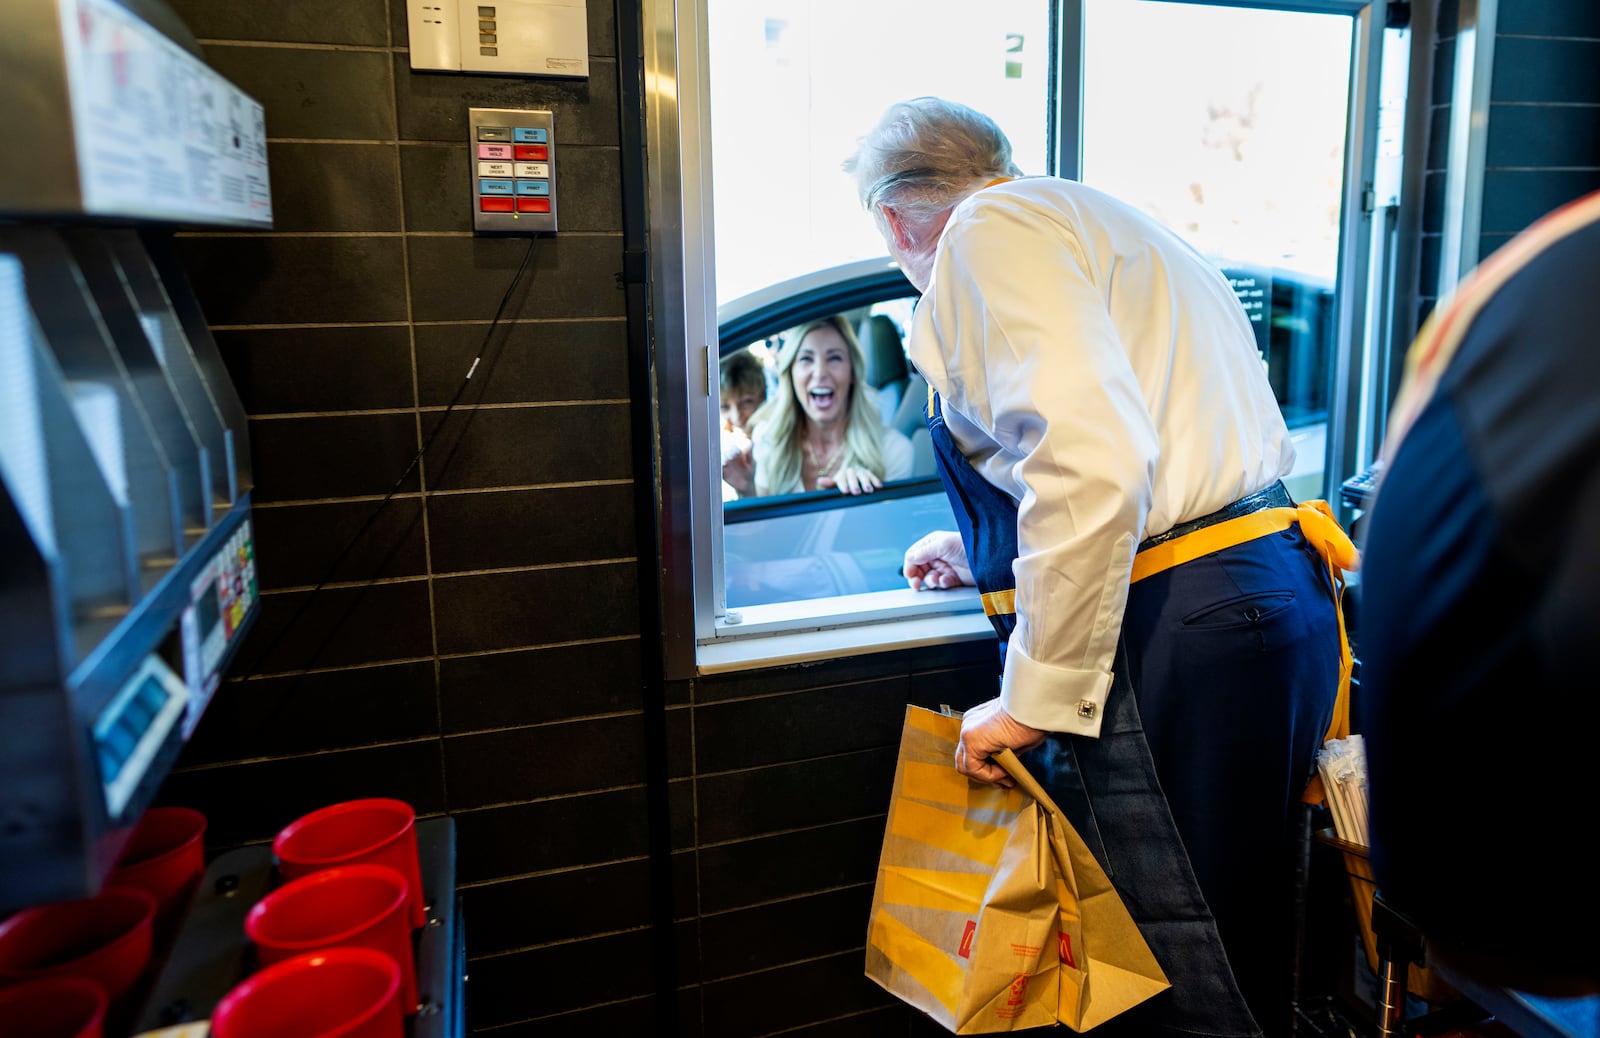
<point x="1324" y="533"/>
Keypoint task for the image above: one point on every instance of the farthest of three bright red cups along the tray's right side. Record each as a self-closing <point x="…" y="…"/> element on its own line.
<point x="356" y="832"/>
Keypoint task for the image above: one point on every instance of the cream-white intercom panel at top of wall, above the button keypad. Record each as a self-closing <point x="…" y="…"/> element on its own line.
<point x="511" y="38"/>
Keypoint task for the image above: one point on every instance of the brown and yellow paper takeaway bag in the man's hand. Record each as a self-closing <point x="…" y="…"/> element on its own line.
<point x="990" y="911"/>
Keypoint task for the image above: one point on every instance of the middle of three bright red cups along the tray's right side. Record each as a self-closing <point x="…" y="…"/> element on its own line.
<point x="351" y="906"/>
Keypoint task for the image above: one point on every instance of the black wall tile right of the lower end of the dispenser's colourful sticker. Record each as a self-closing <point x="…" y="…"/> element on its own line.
<point x="337" y="628"/>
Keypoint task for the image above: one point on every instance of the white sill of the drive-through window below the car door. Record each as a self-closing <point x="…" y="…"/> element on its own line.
<point x="801" y="633"/>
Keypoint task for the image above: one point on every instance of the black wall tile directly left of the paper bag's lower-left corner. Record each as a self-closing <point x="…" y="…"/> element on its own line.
<point x="786" y="932"/>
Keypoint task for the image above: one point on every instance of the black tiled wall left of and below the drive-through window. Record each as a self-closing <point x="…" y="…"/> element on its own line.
<point x="473" y="645"/>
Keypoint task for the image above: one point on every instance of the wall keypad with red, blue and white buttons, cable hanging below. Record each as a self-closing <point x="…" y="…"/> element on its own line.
<point x="513" y="170"/>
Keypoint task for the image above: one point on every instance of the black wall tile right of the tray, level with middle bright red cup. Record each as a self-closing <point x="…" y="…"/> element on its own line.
<point x="561" y="906"/>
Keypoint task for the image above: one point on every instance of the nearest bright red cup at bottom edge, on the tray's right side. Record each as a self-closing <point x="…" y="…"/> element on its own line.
<point x="335" y="994"/>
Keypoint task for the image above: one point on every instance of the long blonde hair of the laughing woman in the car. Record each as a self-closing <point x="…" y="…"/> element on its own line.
<point x="785" y="425"/>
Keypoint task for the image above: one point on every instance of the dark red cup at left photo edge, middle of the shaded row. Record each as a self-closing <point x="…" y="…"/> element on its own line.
<point x="106" y="940"/>
